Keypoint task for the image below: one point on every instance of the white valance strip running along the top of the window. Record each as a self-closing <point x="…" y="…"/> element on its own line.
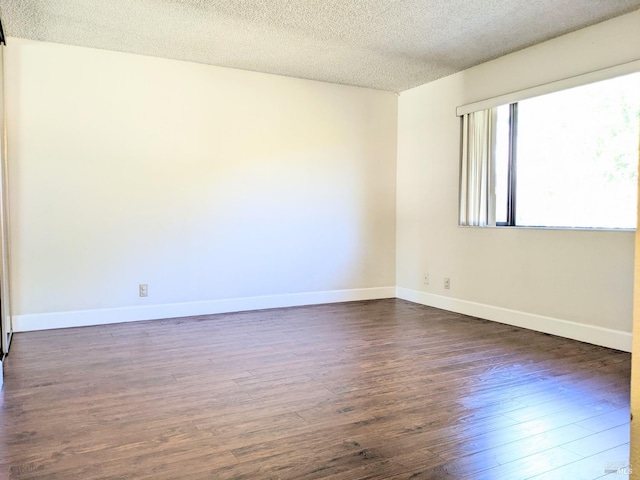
<point x="563" y="84"/>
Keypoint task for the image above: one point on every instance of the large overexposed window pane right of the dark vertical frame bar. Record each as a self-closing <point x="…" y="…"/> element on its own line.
<point x="577" y="156"/>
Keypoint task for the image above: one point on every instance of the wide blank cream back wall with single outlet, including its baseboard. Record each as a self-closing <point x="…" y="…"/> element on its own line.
<point x="205" y="183"/>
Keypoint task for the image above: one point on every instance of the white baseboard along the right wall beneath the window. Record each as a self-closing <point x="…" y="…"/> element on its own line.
<point x="577" y="331"/>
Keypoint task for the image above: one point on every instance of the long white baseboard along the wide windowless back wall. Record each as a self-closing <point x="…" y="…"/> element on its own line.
<point x="82" y="318"/>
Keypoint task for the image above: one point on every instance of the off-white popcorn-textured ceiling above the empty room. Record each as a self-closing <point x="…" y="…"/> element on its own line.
<point x="383" y="44"/>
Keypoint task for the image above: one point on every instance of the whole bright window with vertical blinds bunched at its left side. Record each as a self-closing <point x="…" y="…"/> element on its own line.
<point x="565" y="159"/>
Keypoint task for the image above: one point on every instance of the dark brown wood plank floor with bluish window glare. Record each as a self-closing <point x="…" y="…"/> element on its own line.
<point x="383" y="389"/>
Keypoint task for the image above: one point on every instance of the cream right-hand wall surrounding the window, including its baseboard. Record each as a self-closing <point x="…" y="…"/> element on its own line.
<point x="553" y="280"/>
